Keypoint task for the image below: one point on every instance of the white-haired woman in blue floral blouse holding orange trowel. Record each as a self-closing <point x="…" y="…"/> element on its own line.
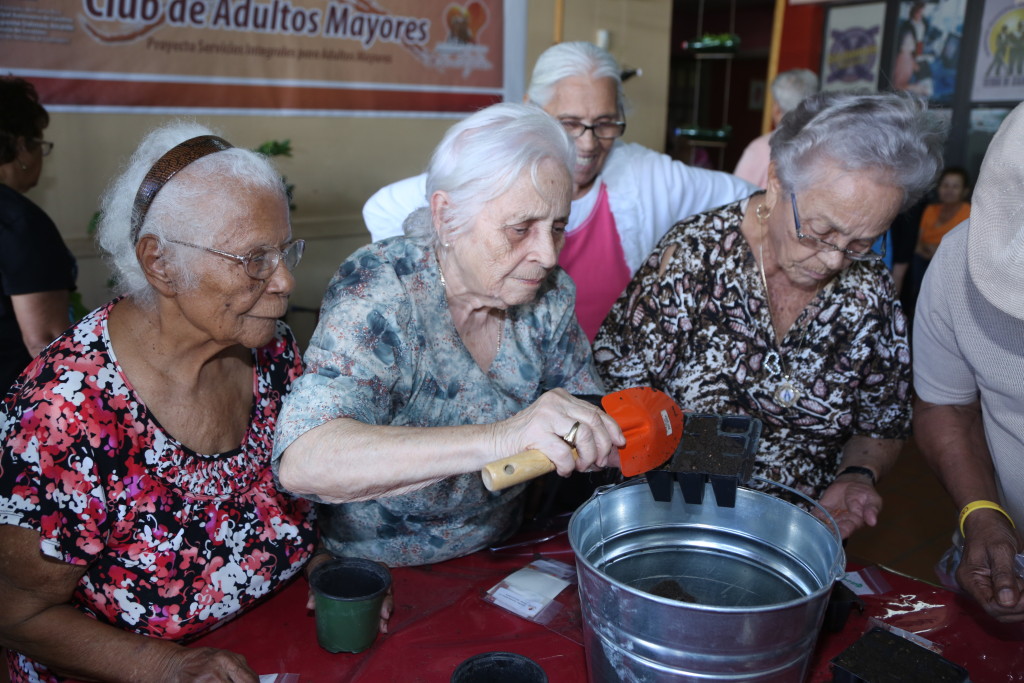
<point x="444" y="351"/>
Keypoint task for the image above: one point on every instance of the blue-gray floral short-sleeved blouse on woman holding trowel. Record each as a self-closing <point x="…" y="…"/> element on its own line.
<point x="387" y="353"/>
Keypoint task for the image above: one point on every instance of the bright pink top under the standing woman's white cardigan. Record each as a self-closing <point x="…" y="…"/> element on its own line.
<point x="593" y="258"/>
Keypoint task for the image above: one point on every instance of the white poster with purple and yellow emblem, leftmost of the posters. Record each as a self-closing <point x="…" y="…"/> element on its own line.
<point x="852" y="48"/>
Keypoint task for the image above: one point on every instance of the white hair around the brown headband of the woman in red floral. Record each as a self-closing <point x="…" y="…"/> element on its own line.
<point x="181" y="211"/>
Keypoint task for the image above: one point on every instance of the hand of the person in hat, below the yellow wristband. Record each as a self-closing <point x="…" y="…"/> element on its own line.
<point x="987" y="571"/>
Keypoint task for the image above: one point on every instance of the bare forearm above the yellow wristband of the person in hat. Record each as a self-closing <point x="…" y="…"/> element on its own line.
<point x="953" y="442"/>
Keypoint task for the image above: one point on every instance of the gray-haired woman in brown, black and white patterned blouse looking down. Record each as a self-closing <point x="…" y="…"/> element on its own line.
<point x="776" y="307"/>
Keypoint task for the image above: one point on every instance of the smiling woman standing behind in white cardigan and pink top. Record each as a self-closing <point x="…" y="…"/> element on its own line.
<point x="625" y="196"/>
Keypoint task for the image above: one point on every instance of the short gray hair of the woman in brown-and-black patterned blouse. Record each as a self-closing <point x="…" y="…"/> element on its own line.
<point x="893" y="135"/>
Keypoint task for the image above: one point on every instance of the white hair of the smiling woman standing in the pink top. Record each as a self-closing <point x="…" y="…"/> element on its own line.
<point x="568" y="60"/>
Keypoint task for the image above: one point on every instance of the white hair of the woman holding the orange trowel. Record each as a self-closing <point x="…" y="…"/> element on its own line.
<point x="483" y="156"/>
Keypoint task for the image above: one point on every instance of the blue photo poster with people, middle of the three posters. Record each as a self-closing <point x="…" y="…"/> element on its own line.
<point x="927" y="49"/>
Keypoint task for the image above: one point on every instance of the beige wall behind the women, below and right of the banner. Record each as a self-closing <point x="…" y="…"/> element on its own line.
<point x="337" y="163"/>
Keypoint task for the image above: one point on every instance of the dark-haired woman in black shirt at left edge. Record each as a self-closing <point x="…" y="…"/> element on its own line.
<point x="37" y="271"/>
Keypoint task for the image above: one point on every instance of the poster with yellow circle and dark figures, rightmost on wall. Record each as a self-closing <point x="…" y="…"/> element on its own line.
<point x="999" y="70"/>
